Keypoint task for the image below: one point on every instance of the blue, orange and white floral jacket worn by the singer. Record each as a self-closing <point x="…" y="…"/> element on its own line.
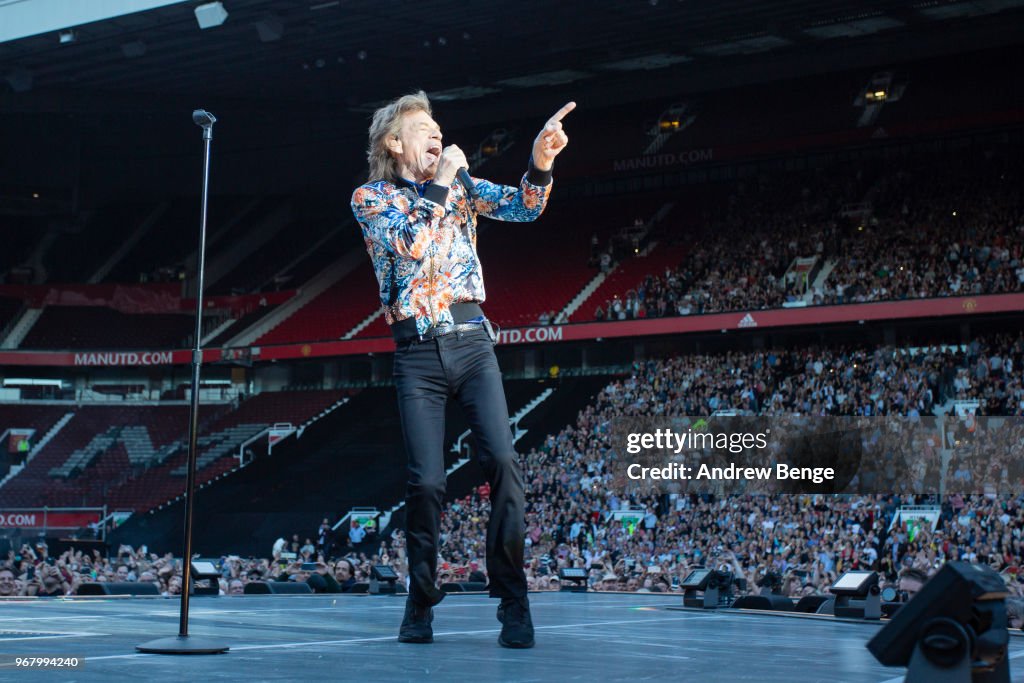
<point x="424" y="237"/>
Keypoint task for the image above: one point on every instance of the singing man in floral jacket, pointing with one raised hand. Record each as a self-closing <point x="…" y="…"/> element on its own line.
<point x="419" y="226"/>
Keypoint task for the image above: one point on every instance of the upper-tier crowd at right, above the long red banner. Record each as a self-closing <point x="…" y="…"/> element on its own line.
<point x="917" y="235"/>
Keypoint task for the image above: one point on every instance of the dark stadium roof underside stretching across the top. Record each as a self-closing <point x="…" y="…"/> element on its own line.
<point x="355" y="54"/>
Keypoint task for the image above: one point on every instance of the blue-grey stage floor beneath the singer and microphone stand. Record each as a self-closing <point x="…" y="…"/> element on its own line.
<point x="595" y="636"/>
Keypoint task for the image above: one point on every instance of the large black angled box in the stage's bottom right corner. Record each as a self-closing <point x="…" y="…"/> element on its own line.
<point x="955" y="629"/>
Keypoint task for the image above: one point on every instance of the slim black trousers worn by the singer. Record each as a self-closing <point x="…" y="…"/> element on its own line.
<point x="463" y="367"/>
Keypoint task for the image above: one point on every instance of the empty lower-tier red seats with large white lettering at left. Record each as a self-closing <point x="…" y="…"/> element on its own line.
<point x="130" y="456"/>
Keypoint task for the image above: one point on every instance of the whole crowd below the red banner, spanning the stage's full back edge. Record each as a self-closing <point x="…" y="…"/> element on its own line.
<point x="650" y="540"/>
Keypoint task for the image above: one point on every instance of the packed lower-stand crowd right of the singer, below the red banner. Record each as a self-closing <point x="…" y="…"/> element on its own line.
<point x="815" y="538"/>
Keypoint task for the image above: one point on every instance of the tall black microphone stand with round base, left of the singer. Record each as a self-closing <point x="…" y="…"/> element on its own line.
<point x="184" y="644"/>
